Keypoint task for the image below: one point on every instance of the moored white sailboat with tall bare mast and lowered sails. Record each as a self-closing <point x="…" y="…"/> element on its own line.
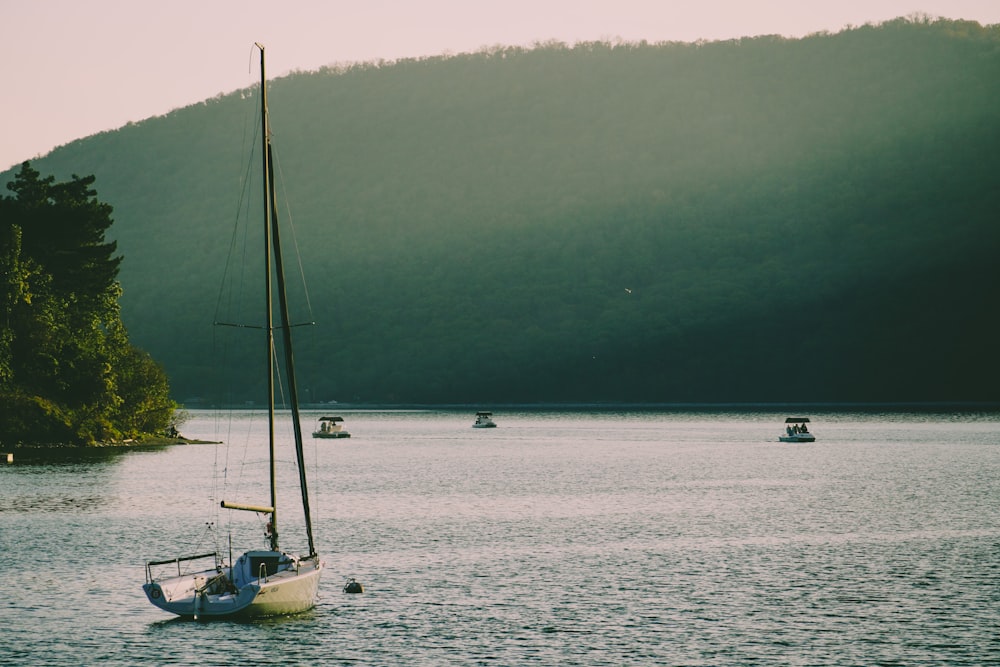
<point x="262" y="582"/>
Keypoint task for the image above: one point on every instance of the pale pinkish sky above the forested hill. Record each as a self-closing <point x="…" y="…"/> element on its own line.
<point x="73" y="68"/>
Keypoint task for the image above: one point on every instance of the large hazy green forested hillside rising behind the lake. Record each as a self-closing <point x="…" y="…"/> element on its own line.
<point x="755" y="220"/>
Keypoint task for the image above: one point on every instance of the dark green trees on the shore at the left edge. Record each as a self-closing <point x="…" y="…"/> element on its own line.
<point x="68" y="374"/>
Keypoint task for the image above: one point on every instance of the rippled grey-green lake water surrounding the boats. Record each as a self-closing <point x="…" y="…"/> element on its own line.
<point x="558" y="538"/>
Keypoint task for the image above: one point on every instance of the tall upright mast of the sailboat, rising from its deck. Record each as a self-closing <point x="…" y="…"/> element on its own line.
<point x="269" y="320"/>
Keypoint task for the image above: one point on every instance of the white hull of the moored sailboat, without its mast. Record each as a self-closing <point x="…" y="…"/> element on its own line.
<point x="205" y="595"/>
